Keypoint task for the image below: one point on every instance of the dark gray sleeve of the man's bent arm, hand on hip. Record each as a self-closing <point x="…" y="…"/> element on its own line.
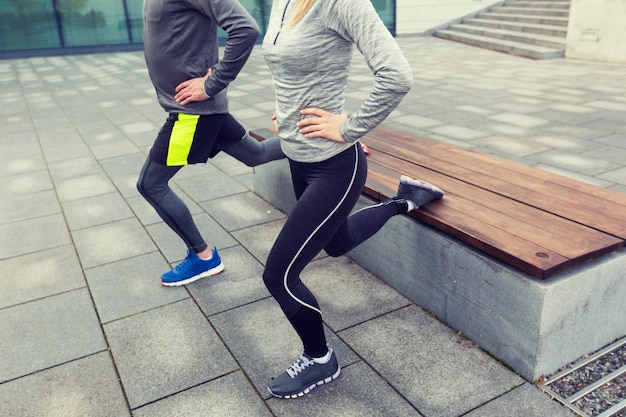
<point x="242" y="31"/>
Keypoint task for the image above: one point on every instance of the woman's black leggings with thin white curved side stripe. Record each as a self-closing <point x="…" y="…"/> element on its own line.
<point x="327" y="192"/>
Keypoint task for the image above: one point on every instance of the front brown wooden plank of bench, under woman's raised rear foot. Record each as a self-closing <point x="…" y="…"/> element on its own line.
<point x="538" y="243"/>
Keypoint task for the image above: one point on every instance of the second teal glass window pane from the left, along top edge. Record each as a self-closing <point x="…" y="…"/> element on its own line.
<point x="93" y="22"/>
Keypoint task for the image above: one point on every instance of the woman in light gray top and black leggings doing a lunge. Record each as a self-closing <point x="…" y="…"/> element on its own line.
<point x="308" y="47"/>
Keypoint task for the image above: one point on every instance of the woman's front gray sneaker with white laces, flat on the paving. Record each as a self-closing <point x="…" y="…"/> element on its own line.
<point x="304" y="375"/>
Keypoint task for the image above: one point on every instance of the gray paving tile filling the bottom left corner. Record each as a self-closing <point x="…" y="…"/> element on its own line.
<point x="85" y="387"/>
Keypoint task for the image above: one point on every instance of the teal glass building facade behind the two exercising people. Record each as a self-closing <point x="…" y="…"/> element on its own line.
<point x="53" y="27"/>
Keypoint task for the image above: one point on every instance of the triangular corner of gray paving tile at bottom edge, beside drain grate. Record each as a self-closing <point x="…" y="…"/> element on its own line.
<point x="525" y="401"/>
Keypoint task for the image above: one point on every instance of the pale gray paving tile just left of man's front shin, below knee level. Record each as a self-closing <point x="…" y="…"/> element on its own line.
<point x="93" y="211"/>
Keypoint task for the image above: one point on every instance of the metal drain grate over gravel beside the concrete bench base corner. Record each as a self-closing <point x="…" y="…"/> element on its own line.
<point x="595" y="386"/>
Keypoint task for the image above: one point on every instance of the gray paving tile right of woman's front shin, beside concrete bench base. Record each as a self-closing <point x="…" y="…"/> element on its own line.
<point x="363" y="296"/>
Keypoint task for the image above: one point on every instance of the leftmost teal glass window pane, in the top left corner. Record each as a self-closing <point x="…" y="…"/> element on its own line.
<point x="27" y="24"/>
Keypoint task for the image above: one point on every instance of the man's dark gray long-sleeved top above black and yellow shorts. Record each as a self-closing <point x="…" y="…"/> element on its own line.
<point x="180" y="43"/>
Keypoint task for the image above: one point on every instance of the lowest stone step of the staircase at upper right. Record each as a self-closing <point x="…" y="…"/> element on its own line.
<point x="513" y="48"/>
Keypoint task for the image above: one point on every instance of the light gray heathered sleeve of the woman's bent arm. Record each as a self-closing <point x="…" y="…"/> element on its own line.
<point x="358" y="21"/>
